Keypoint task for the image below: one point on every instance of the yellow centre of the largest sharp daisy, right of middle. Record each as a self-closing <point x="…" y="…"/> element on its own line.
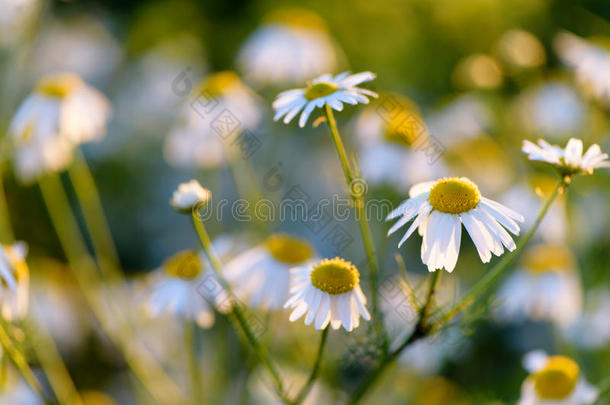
<point x="454" y="195"/>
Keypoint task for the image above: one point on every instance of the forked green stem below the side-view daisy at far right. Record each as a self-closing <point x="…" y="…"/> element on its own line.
<point x="477" y="291"/>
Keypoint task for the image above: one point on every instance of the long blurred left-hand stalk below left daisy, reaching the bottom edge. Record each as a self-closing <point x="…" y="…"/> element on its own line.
<point x="153" y="377"/>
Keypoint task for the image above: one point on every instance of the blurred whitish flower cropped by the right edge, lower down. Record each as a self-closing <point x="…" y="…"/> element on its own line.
<point x="592" y="330"/>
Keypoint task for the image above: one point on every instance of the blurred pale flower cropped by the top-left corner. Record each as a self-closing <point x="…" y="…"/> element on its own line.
<point x="14" y="19"/>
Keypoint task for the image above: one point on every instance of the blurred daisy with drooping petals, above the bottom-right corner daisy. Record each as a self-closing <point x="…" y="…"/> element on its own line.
<point x="545" y="287"/>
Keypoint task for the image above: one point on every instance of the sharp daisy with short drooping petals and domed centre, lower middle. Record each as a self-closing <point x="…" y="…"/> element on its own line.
<point x="328" y="292"/>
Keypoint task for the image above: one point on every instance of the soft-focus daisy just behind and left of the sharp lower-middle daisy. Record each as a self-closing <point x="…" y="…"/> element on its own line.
<point x="261" y="275"/>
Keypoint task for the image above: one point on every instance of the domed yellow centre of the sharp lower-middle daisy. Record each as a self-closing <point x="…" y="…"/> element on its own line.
<point x="335" y="276"/>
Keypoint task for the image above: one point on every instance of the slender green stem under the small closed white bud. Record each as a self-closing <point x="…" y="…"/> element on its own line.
<point x="237" y="311"/>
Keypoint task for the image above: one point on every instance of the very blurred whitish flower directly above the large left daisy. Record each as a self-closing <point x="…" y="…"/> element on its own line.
<point x="82" y="45"/>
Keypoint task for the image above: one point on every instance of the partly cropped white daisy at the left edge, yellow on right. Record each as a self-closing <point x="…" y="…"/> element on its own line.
<point x="15" y="276"/>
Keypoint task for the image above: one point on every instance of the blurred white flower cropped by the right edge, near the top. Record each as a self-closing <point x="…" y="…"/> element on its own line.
<point x="590" y="61"/>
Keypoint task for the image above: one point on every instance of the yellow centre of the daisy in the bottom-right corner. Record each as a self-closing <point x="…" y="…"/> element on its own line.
<point x="557" y="379"/>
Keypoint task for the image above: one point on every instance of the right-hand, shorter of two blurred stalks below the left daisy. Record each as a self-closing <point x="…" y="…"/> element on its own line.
<point x="95" y="220"/>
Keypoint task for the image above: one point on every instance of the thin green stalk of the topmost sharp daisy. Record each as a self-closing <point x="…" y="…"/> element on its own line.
<point x="365" y="230"/>
